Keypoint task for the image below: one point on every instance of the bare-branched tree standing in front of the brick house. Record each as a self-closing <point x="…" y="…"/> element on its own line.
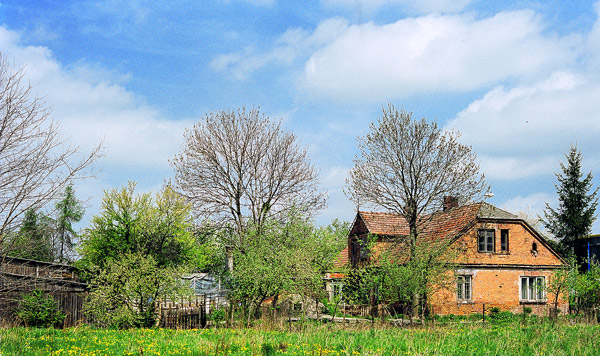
<point x="409" y="167"/>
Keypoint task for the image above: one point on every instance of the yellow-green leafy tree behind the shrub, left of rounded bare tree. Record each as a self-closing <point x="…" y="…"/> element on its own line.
<point x="130" y="223"/>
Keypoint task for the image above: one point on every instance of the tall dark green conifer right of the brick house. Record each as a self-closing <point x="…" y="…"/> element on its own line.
<point x="577" y="207"/>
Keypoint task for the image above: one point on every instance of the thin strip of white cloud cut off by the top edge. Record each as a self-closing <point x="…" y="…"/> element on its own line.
<point x="414" y="7"/>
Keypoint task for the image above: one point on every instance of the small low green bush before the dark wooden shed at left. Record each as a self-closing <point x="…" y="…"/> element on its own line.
<point x="39" y="310"/>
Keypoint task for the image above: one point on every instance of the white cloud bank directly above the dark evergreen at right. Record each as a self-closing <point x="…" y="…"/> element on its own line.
<point x="523" y="132"/>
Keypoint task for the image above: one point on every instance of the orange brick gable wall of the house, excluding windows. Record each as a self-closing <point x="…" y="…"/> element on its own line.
<point x="496" y="276"/>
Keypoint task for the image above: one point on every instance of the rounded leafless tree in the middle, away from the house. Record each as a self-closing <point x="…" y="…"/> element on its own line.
<point x="241" y="166"/>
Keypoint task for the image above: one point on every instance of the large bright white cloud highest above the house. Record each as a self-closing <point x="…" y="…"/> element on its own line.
<point x="433" y="54"/>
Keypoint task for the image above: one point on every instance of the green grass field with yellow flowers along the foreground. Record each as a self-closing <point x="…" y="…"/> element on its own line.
<point x="455" y="339"/>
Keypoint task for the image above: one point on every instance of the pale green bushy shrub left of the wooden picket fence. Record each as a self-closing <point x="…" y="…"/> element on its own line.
<point x="126" y="291"/>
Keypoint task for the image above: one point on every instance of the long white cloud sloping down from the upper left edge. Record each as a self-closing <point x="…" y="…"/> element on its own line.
<point x="92" y="107"/>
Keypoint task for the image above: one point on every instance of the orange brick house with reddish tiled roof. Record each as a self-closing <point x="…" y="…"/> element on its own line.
<point x="501" y="260"/>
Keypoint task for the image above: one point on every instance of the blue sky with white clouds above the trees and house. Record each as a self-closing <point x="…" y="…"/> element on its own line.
<point x="519" y="79"/>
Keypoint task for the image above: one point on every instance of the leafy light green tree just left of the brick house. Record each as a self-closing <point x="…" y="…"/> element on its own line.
<point x="283" y="258"/>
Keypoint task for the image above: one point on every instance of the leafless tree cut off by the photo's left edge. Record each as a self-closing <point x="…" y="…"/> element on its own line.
<point x="36" y="163"/>
